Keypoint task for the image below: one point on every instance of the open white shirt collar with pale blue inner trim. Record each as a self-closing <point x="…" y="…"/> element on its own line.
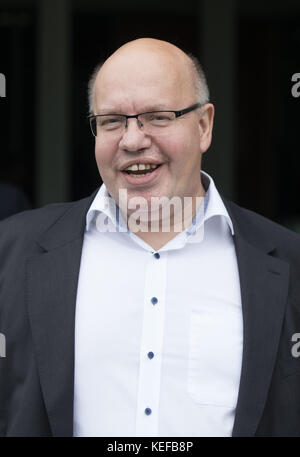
<point x="211" y="206"/>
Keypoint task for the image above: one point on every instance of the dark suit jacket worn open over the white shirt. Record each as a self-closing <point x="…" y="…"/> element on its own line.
<point x="40" y="253"/>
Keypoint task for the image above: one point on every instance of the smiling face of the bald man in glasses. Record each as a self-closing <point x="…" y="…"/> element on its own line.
<point x="147" y="75"/>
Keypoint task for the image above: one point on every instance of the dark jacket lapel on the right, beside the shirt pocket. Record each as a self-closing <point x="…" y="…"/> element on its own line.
<point x="264" y="289"/>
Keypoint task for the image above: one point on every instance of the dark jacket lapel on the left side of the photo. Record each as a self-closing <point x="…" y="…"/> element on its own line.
<point x="52" y="278"/>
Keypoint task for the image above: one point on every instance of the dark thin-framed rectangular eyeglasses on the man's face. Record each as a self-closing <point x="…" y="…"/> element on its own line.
<point x="152" y="122"/>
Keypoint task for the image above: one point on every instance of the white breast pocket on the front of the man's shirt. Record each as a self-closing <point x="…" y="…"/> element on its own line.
<point x="215" y="355"/>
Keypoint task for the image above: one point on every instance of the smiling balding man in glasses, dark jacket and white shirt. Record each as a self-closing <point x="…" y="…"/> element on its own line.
<point x="115" y="329"/>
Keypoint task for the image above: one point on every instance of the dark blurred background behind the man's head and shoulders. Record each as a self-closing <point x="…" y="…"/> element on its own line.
<point x="249" y="49"/>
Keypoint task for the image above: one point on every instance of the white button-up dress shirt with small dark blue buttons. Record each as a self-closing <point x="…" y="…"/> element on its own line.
<point x="158" y="338"/>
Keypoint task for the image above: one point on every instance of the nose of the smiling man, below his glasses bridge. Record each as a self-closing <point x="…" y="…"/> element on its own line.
<point x="133" y="138"/>
